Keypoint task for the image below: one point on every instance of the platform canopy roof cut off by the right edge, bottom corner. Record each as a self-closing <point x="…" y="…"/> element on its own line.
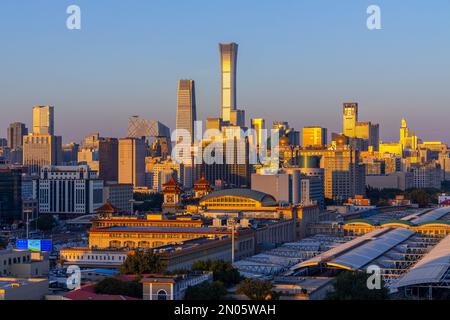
<point x="431" y="269"/>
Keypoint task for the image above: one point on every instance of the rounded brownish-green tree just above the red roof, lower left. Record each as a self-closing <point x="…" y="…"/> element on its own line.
<point x="141" y="263"/>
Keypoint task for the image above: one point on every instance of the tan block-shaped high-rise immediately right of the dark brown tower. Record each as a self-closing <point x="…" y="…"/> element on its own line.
<point x="132" y="161"/>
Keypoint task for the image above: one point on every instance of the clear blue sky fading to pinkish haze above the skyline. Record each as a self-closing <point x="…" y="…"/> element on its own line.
<point x="298" y="60"/>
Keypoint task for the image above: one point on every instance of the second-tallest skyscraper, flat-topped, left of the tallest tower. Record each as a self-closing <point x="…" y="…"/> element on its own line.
<point x="186" y="108"/>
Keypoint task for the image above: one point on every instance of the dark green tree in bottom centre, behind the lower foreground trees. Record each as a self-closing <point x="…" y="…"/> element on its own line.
<point x="222" y="271"/>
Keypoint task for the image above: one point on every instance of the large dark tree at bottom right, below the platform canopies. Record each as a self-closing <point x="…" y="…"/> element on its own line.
<point x="352" y="285"/>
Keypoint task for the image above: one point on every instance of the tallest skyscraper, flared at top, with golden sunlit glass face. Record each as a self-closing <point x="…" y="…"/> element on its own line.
<point x="228" y="63"/>
